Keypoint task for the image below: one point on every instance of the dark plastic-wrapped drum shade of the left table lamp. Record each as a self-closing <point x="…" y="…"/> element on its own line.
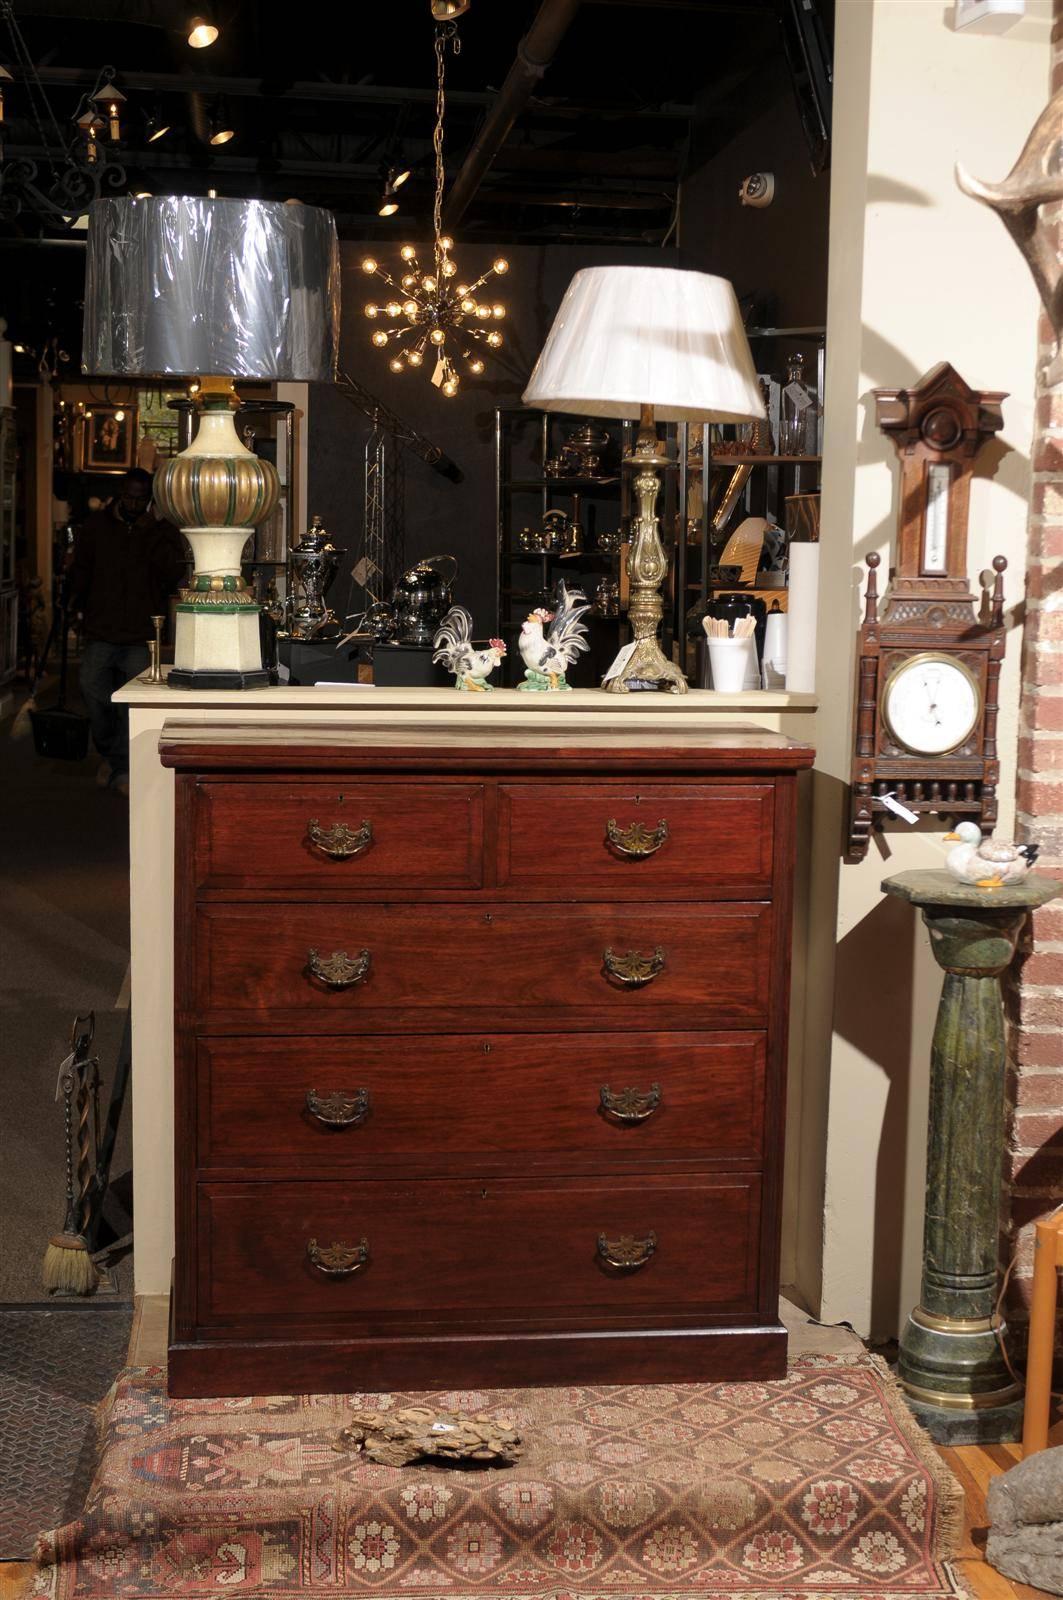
<point x="188" y="287"/>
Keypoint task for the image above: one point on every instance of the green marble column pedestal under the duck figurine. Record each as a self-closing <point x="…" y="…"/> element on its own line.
<point x="950" y="1359"/>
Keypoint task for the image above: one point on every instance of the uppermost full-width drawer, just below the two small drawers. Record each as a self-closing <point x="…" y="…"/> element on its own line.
<point x="478" y="962"/>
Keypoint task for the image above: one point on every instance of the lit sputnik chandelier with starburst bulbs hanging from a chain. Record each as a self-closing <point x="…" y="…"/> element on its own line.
<point x="433" y="311"/>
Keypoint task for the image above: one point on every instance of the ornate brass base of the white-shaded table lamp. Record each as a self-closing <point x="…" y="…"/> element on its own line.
<point x="648" y="569"/>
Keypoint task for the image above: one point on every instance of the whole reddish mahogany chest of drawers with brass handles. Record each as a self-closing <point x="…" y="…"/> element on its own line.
<point x="479" y="1058"/>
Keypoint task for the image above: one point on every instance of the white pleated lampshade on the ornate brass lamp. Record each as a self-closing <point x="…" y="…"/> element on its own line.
<point x="633" y="337"/>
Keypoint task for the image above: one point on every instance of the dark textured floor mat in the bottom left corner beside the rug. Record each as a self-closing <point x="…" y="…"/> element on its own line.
<point x="55" y="1367"/>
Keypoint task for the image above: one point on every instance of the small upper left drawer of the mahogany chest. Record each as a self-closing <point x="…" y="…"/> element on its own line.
<point x="361" y="836"/>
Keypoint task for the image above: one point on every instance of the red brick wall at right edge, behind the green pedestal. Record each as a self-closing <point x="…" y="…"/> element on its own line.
<point x="1037" y="986"/>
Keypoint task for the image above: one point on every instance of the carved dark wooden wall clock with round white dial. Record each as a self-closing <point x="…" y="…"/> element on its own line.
<point x="928" y="668"/>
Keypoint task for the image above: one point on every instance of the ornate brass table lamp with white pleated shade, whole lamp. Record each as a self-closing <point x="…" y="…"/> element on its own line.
<point x="654" y="345"/>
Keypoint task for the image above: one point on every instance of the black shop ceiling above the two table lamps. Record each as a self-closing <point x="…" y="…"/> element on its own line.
<point x="324" y="98"/>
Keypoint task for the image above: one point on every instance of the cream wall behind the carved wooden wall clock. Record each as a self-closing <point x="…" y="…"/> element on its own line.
<point x="918" y="274"/>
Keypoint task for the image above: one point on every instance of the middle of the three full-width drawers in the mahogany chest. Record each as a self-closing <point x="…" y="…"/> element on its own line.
<point x="519" y="1103"/>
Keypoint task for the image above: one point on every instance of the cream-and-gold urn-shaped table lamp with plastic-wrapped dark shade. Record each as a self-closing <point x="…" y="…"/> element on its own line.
<point x="214" y="290"/>
